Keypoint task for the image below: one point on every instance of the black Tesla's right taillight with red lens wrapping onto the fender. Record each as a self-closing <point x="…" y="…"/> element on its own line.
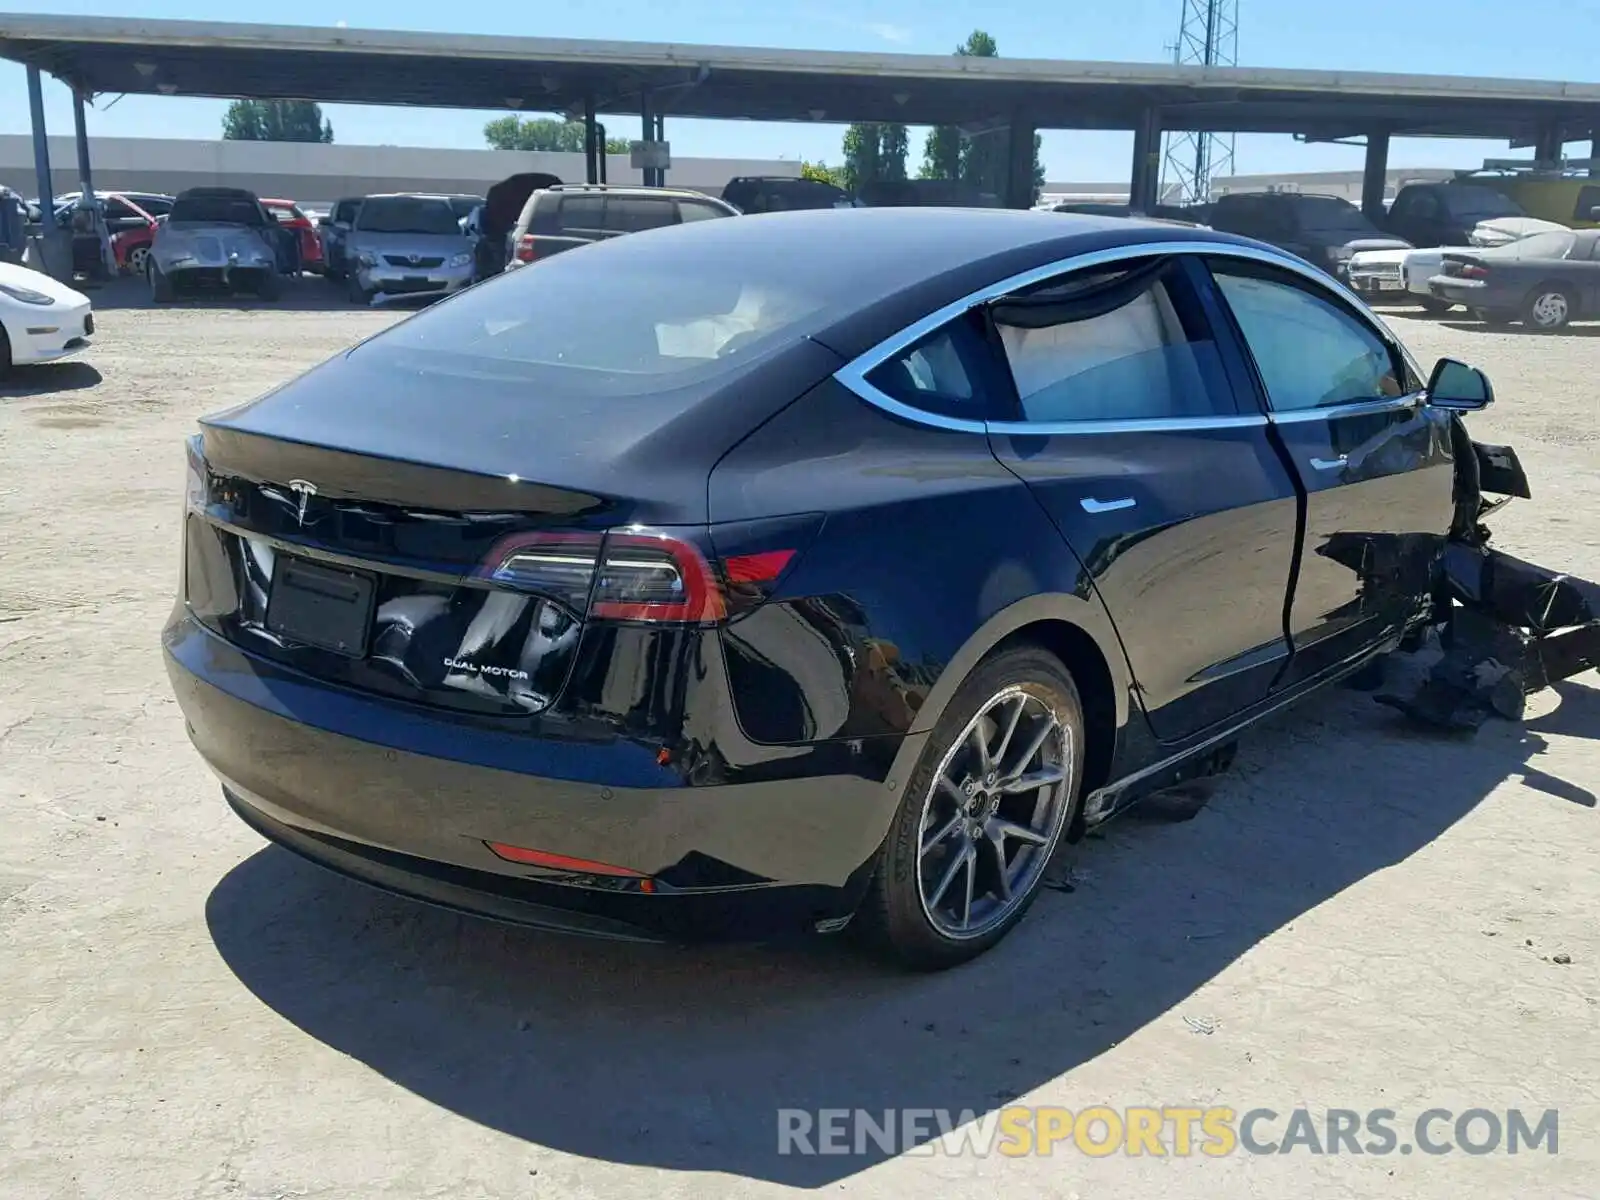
<point x="649" y="575"/>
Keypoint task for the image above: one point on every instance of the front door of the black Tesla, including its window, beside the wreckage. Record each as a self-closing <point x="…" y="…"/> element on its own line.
<point x="1372" y="458"/>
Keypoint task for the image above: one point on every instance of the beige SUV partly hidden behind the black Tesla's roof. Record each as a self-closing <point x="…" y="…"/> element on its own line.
<point x="575" y="215"/>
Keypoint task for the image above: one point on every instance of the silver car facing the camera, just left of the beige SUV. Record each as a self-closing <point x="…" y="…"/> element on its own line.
<point x="409" y="246"/>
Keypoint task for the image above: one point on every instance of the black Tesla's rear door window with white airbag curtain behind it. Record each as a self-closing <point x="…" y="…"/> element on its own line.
<point x="1113" y="345"/>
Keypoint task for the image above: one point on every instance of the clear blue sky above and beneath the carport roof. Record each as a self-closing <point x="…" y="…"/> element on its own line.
<point x="1530" y="39"/>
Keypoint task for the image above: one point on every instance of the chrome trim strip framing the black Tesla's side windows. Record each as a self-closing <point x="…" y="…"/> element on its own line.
<point x="854" y="375"/>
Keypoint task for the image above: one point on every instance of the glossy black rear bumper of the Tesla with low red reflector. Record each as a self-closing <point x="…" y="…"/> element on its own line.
<point x="409" y="801"/>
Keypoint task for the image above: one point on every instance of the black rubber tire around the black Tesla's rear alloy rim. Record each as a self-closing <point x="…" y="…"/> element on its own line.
<point x="894" y="914"/>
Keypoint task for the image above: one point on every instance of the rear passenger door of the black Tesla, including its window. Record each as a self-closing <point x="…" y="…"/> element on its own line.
<point x="1130" y="434"/>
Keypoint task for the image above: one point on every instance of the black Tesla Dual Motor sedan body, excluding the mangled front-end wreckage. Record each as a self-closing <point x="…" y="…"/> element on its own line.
<point x="766" y="575"/>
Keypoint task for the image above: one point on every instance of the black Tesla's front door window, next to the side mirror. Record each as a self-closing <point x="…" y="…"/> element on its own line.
<point x="1310" y="350"/>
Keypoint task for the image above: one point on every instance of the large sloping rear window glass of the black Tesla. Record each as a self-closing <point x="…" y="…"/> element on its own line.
<point x="626" y="318"/>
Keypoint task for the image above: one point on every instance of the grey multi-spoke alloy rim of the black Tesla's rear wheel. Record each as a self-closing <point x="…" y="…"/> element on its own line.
<point x="994" y="814"/>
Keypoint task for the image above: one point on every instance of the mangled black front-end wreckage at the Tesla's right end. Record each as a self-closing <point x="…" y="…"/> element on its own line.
<point x="1508" y="628"/>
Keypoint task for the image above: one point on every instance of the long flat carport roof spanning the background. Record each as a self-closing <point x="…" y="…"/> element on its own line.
<point x="361" y="66"/>
